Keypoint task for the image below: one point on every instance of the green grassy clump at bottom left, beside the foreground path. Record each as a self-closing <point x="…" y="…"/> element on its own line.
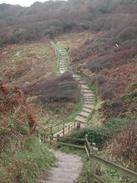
<point x="27" y="163"/>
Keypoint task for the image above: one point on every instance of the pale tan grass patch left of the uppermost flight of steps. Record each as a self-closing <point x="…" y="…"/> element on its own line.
<point x="24" y="64"/>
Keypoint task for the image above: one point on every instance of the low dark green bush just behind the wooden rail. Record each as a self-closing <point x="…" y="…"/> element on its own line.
<point x="101" y="135"/>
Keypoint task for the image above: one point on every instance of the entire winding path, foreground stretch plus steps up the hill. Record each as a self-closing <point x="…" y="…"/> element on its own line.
<point x="68" y="167"/>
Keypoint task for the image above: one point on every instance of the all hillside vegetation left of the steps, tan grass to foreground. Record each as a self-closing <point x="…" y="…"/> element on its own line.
<point x="28" y="100"/>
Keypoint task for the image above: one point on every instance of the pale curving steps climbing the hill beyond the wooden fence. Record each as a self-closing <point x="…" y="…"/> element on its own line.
<point x="87" y="96"/>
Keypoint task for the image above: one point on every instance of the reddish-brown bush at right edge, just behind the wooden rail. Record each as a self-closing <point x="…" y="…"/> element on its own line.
<point x="124" y="144"/>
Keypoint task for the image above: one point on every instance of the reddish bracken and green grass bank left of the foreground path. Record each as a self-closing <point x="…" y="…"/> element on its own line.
<point x="22" y="156"/>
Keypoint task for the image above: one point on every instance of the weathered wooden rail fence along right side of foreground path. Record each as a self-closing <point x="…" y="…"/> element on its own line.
<point x="95" y="160"/>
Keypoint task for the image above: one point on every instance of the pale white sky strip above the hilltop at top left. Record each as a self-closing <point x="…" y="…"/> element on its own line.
<point x="21" y="2"/>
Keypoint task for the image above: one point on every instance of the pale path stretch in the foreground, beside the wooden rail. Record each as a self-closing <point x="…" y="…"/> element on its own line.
<point x="67" y="169"/>
